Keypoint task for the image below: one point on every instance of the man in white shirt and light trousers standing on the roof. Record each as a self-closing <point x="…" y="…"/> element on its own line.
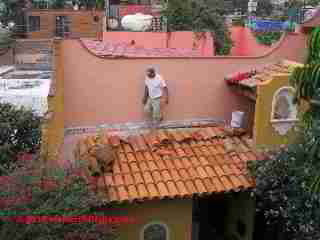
<point x="155" y="95"/>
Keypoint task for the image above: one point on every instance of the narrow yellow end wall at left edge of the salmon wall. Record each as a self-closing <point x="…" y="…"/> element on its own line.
<point x="53" y="128"/>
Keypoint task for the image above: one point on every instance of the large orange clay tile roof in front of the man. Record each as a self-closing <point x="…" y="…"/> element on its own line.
<point x="173" y="163"/>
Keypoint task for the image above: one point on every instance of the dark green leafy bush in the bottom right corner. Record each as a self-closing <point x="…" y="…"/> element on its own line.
<point x="283" y="193"/>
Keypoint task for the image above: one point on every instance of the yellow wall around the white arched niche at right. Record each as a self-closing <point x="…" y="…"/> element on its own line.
<point x="265" y="133"/>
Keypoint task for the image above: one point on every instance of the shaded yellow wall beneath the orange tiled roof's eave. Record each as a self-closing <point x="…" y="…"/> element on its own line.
<point x="176" y="214"/>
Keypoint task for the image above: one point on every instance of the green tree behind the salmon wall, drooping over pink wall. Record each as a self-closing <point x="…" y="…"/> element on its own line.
<point x="199" y="17"/>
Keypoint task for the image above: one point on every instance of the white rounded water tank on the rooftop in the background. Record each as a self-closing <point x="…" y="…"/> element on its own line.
<point x="137" y="22"/>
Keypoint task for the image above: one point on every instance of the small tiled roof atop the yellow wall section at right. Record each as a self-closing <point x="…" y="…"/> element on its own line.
<point x="258" y="75"/>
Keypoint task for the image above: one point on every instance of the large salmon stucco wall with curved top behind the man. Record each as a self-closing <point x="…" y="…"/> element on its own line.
<point x="99" y="91"/>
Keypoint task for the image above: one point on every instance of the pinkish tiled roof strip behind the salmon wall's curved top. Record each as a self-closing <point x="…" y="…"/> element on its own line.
<point x="125" y="50"/>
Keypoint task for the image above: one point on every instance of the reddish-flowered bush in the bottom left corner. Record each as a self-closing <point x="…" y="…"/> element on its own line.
<point x="56" y="193"/>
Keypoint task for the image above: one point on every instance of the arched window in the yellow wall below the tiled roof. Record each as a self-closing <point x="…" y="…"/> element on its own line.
<point x="155" y="231"/>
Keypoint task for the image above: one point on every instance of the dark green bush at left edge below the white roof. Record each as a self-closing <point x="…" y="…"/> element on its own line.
<point x="19" y="132"/>
